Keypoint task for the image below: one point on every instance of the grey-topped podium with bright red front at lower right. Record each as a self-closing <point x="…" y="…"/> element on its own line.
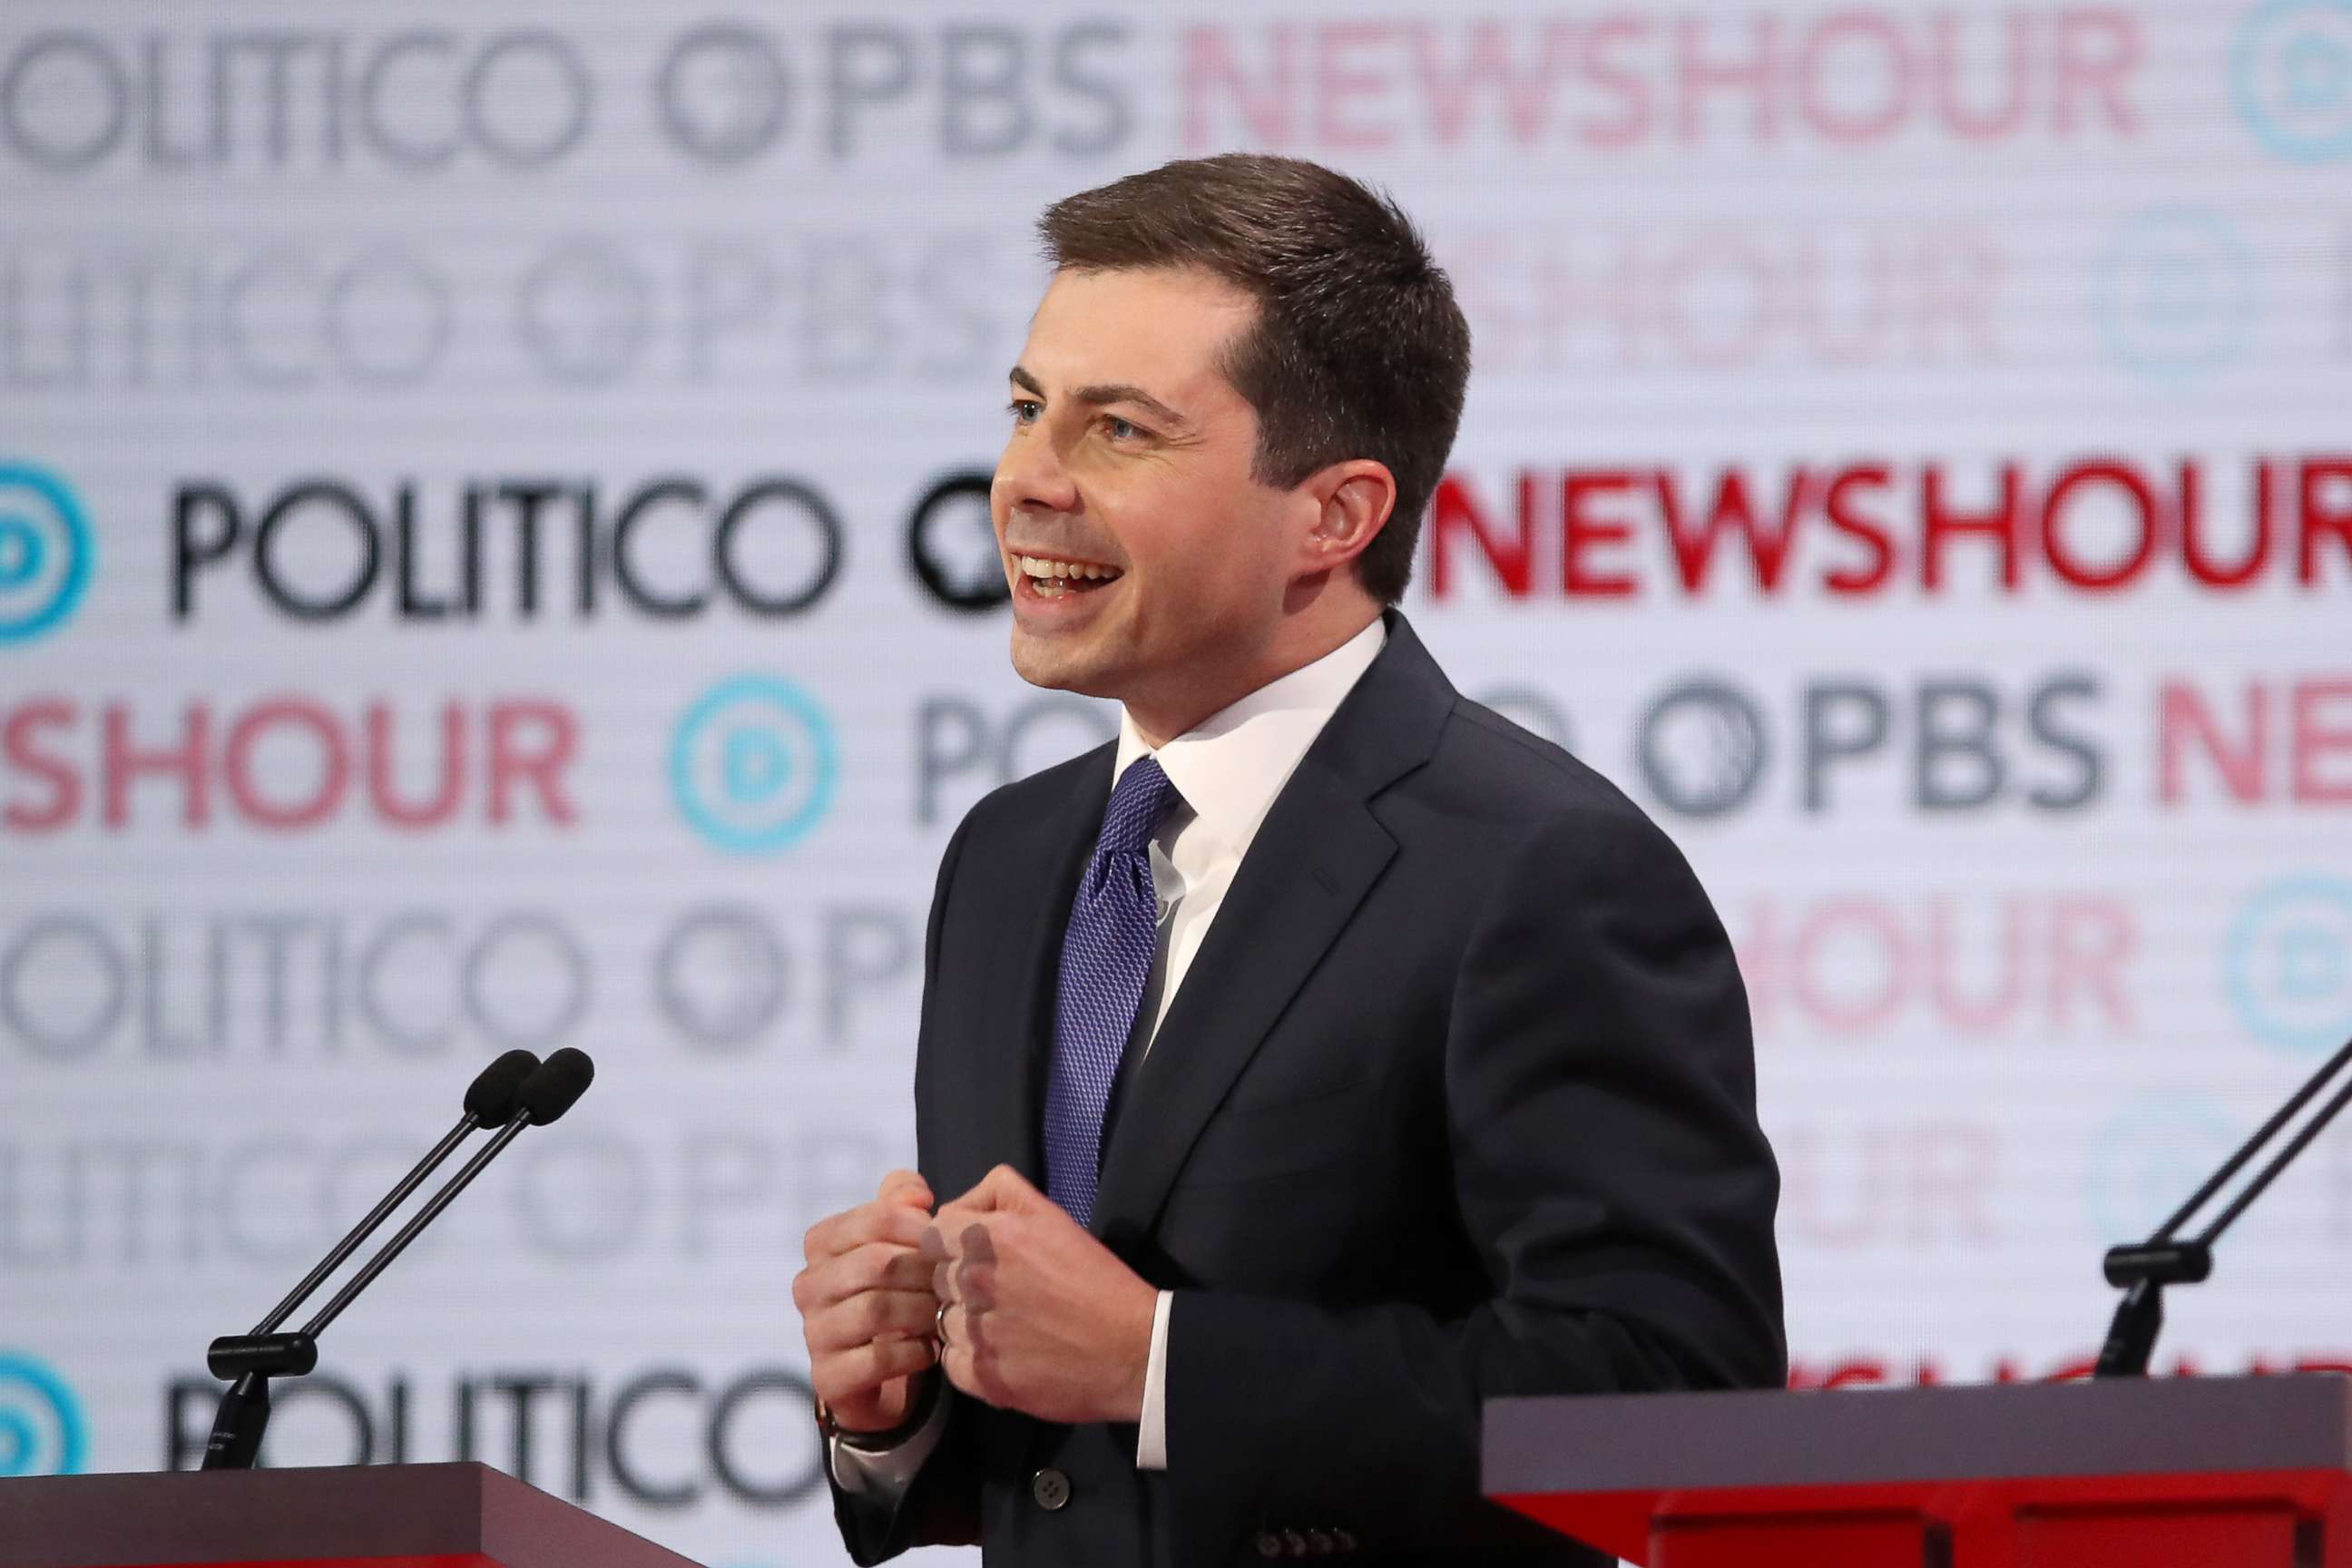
<point x="2184" y="1473"/>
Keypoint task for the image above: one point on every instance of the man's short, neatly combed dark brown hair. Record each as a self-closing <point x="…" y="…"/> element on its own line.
<point x="1358" y="349"/>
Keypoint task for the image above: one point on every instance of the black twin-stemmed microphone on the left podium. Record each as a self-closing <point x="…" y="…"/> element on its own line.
<point x="512" y="1094"/>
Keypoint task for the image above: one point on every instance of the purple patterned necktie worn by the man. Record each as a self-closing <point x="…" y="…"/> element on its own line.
<point x="1107" y="956"/>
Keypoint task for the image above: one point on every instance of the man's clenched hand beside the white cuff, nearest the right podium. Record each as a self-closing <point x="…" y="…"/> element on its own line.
<point x="1043" y="1318"/>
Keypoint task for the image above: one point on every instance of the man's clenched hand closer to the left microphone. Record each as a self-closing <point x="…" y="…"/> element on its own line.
<point x="867" y="1306"/>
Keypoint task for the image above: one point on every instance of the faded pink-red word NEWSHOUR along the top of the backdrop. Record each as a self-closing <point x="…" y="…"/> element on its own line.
<point x="1629" y="79"/>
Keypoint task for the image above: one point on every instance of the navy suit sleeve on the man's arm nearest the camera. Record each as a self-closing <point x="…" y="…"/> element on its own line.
<point x="1610" y="1174"/>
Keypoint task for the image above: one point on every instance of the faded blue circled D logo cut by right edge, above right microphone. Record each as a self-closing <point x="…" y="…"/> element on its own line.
<point x="2290" y="965"/>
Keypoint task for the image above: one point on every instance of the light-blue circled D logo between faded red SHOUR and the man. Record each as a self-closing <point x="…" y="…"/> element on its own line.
<point x="754" y="765"/>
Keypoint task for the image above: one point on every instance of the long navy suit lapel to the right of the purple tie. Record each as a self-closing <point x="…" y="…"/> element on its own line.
<point x="1307" y="873"/>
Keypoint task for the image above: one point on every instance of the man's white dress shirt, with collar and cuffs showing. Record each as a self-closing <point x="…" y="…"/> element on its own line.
<point x="1229" y="772"/>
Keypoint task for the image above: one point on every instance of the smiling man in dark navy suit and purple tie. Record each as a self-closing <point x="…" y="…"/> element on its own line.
<point x="1328" y="1054"/>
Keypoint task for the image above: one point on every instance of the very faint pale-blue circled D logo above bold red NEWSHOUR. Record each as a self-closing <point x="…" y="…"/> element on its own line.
<point x="2177" y="293"/>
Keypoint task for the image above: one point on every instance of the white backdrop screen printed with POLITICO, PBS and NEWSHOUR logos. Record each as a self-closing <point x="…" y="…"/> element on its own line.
<point x="493" y="554"/>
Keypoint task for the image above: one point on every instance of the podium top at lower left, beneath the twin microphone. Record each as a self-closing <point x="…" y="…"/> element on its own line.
<point x="366" y="1517"/>
